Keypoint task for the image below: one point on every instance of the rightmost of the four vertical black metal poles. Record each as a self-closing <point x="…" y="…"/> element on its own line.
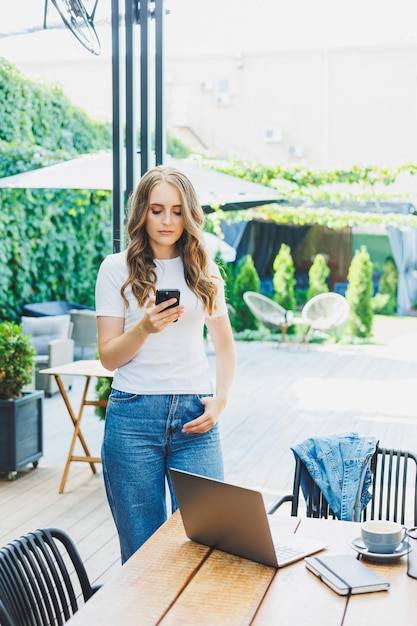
<point x="160" y="135"/>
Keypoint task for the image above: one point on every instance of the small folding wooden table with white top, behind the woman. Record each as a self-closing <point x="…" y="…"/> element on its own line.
<point x="89" y="369"/>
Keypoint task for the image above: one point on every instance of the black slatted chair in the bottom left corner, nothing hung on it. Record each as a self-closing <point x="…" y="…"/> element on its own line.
<point x="38" y="584"/>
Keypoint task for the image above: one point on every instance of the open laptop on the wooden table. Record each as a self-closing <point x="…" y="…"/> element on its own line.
<point x="233" y="519"/>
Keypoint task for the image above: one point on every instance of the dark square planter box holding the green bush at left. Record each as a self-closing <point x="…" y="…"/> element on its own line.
<point x="21" y="432"/>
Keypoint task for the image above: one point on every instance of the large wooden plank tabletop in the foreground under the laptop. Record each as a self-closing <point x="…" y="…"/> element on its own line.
<point x="172" y="580"/>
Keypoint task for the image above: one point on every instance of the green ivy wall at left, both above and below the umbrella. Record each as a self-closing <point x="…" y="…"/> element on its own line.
<point x="52" y="241"/>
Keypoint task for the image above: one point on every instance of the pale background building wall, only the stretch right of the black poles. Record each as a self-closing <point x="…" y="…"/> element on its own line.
<point x="321" y="108"/>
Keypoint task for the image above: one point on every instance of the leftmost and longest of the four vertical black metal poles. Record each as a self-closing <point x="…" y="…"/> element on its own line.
<point x="117" y="143"/>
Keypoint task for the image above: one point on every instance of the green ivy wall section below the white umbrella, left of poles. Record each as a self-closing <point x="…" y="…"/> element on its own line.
<point x="52" y="244"/>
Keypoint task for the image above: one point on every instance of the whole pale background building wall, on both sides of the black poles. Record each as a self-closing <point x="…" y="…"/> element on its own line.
<point x="318" y="106"/>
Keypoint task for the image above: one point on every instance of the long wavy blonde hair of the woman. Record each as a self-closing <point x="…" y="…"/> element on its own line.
<point x="191" y="246"/>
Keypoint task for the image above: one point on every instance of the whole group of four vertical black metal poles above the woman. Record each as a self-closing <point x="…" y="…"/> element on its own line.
<point x="137" y="13"/>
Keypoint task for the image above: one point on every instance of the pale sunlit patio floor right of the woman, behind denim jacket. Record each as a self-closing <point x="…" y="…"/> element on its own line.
<point x="284" y="395"/>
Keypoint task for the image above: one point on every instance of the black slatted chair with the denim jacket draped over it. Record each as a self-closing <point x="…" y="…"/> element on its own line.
<point x="394" y="489"/>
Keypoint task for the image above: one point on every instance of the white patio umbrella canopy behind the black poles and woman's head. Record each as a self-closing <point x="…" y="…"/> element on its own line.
<point x="94" y="171"/>
